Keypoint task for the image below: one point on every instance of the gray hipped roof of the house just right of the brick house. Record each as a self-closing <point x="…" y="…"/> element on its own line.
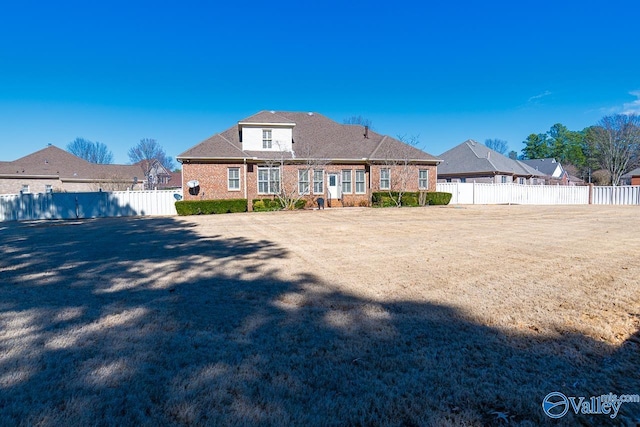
<point x="472" y="157"/>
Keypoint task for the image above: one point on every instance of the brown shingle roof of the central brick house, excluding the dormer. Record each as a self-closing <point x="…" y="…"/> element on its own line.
<point x="314" y="136"/>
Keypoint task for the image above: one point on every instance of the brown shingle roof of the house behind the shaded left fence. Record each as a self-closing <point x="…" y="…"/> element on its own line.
<point x="53" y="161"/>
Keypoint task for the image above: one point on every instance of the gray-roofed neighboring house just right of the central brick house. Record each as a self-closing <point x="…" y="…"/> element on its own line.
<point x="472" y="161"/>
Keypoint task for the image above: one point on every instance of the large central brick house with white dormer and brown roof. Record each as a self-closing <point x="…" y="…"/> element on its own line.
<point x="273" y="152"/>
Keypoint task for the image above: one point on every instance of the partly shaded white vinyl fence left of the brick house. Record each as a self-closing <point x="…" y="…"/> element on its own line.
<point x="17" y="207"/>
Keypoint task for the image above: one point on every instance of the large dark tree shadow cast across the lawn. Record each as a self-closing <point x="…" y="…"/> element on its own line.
<point x="147" y="322"/>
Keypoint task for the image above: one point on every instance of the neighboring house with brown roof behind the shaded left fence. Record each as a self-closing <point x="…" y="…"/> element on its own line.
<point x="53" y="169"/>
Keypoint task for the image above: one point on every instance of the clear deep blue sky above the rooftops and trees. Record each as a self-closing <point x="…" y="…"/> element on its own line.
<point x="118" y="71"/>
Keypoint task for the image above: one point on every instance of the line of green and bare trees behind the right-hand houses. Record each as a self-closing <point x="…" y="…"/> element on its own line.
<point x="600" y="153"/>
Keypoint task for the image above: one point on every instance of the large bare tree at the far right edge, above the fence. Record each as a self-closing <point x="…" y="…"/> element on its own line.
<point x="617" y="142"/>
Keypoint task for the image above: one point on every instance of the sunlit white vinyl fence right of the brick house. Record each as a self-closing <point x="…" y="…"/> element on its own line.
<point x="519" y="194"/>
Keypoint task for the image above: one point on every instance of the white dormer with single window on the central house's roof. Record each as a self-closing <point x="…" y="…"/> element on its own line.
<point x="266" y="136"/>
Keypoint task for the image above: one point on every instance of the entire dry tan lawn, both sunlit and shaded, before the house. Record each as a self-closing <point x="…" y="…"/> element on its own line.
<point x="426" y="316"/>
